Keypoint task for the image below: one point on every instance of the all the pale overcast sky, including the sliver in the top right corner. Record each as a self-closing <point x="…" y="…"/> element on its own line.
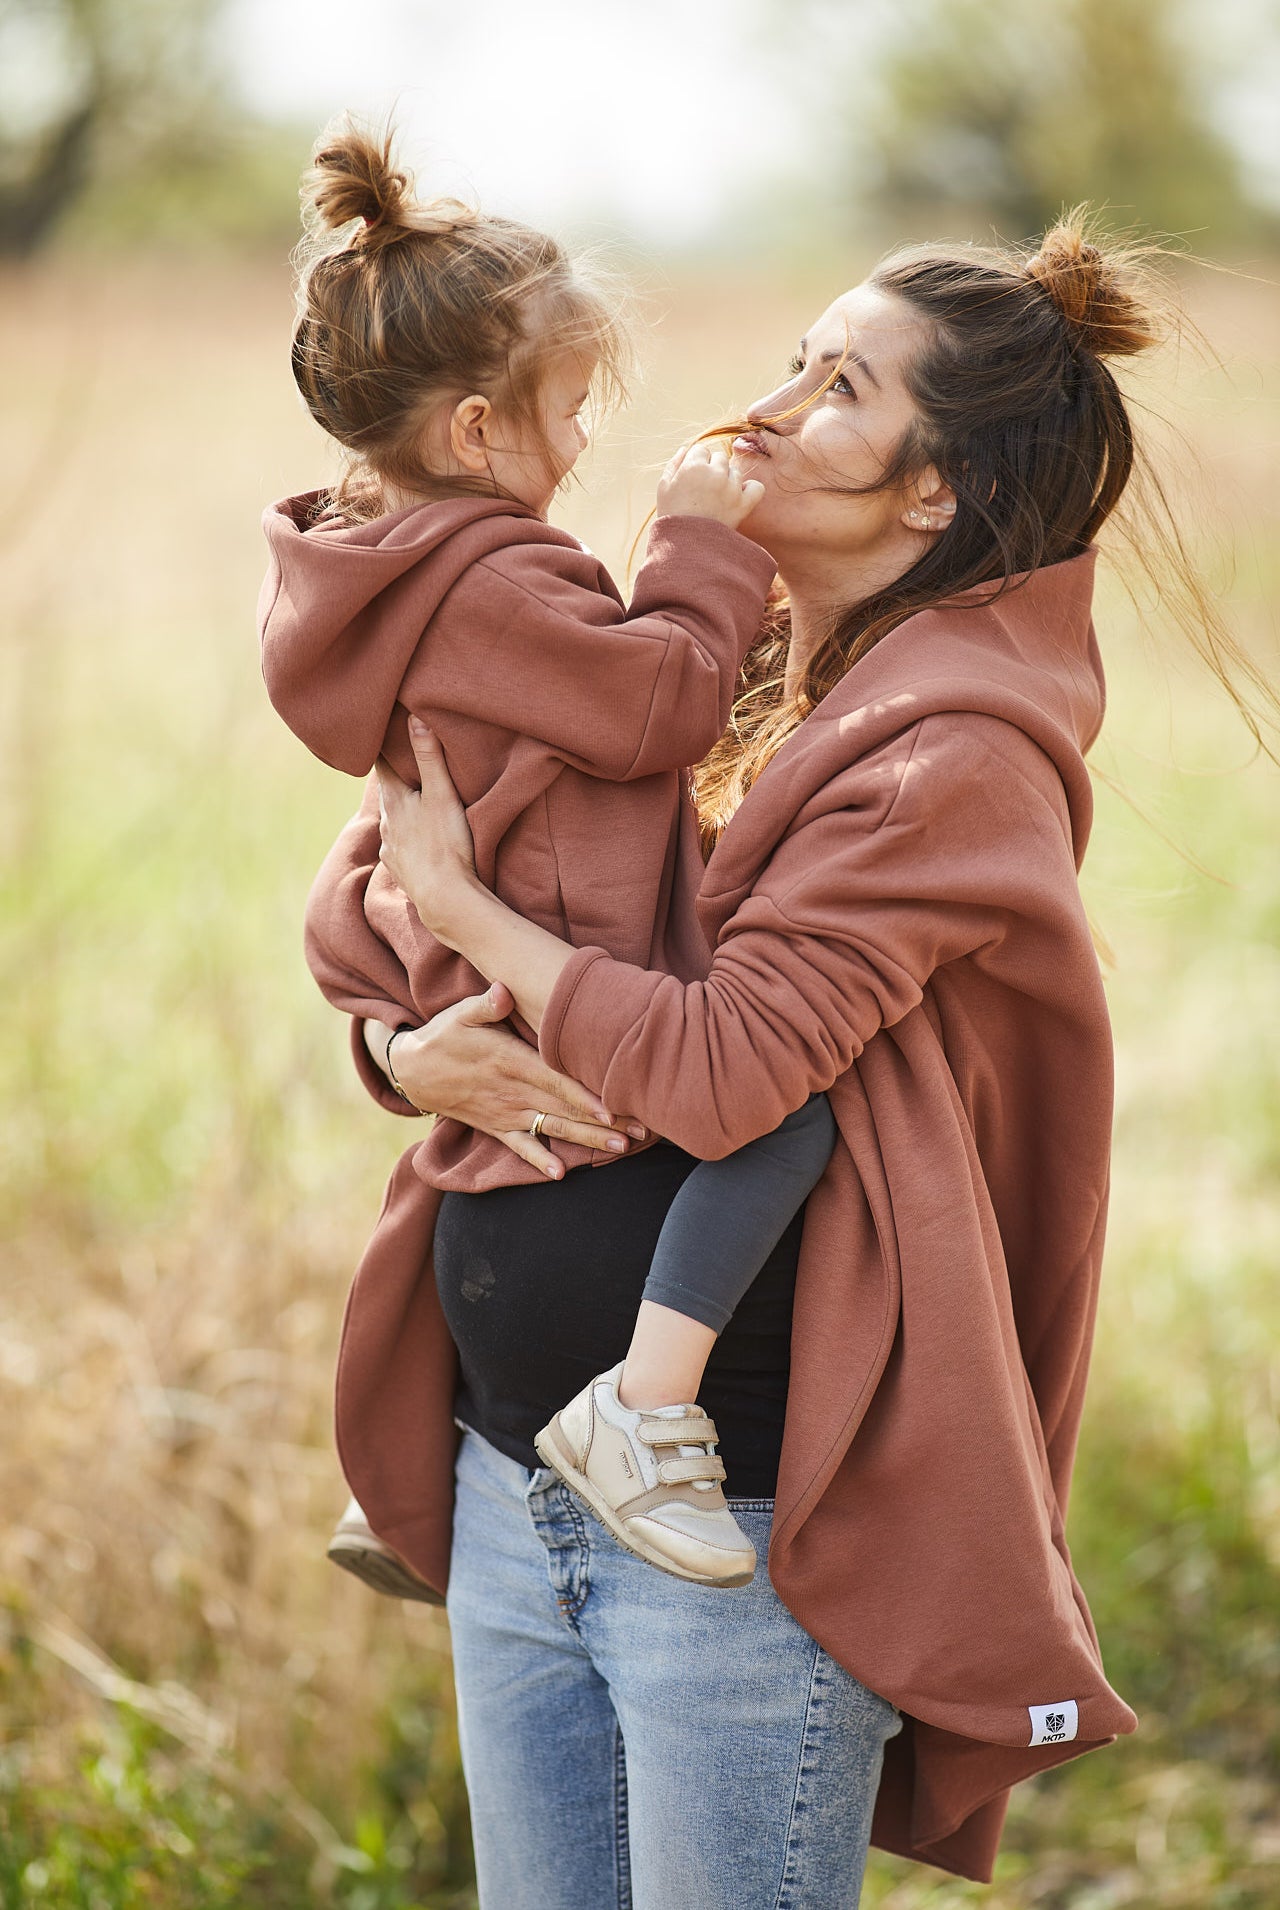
<point x="656" y="116"/>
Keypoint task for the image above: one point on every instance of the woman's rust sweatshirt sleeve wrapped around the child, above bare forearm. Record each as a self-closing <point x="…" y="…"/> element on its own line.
<point x="920" y="855"/>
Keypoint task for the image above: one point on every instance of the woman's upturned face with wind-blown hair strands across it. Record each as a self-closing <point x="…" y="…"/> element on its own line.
<point x="807" y="446"/>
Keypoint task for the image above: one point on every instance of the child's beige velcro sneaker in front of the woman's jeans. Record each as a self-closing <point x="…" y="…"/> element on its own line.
<point x="652" y="1479"/>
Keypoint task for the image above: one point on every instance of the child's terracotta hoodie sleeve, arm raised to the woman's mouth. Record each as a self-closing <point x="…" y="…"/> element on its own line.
<point x="528" y="641"/>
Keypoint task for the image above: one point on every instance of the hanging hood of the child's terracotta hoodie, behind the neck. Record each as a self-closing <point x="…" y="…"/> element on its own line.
<point x="343" y="610"/>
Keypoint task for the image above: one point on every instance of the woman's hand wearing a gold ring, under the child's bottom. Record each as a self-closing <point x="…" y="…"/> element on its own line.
<point x="477" y="1072"/>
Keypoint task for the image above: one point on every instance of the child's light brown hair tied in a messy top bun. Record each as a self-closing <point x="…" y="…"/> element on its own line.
<point x="427" y="303"/>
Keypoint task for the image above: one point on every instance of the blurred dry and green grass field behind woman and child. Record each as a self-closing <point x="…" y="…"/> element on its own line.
<point x="198" y="1710"/>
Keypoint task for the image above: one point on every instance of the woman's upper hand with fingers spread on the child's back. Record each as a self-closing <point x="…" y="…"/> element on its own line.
<point x="427" y="843"/>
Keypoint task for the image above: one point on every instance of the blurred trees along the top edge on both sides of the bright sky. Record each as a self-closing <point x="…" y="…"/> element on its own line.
<point x="123" y="117"/>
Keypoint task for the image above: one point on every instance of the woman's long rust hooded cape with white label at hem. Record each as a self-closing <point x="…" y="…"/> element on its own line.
<point x="895" y="918"/>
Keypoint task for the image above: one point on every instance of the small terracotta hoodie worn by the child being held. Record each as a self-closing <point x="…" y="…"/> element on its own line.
<point x="568" y="723"/>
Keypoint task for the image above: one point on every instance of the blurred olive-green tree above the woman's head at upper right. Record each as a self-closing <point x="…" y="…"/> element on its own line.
<point x="1015" y="108"/>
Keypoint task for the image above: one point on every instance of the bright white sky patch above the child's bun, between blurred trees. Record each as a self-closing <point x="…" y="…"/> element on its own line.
<point x="652" y="116"/>
